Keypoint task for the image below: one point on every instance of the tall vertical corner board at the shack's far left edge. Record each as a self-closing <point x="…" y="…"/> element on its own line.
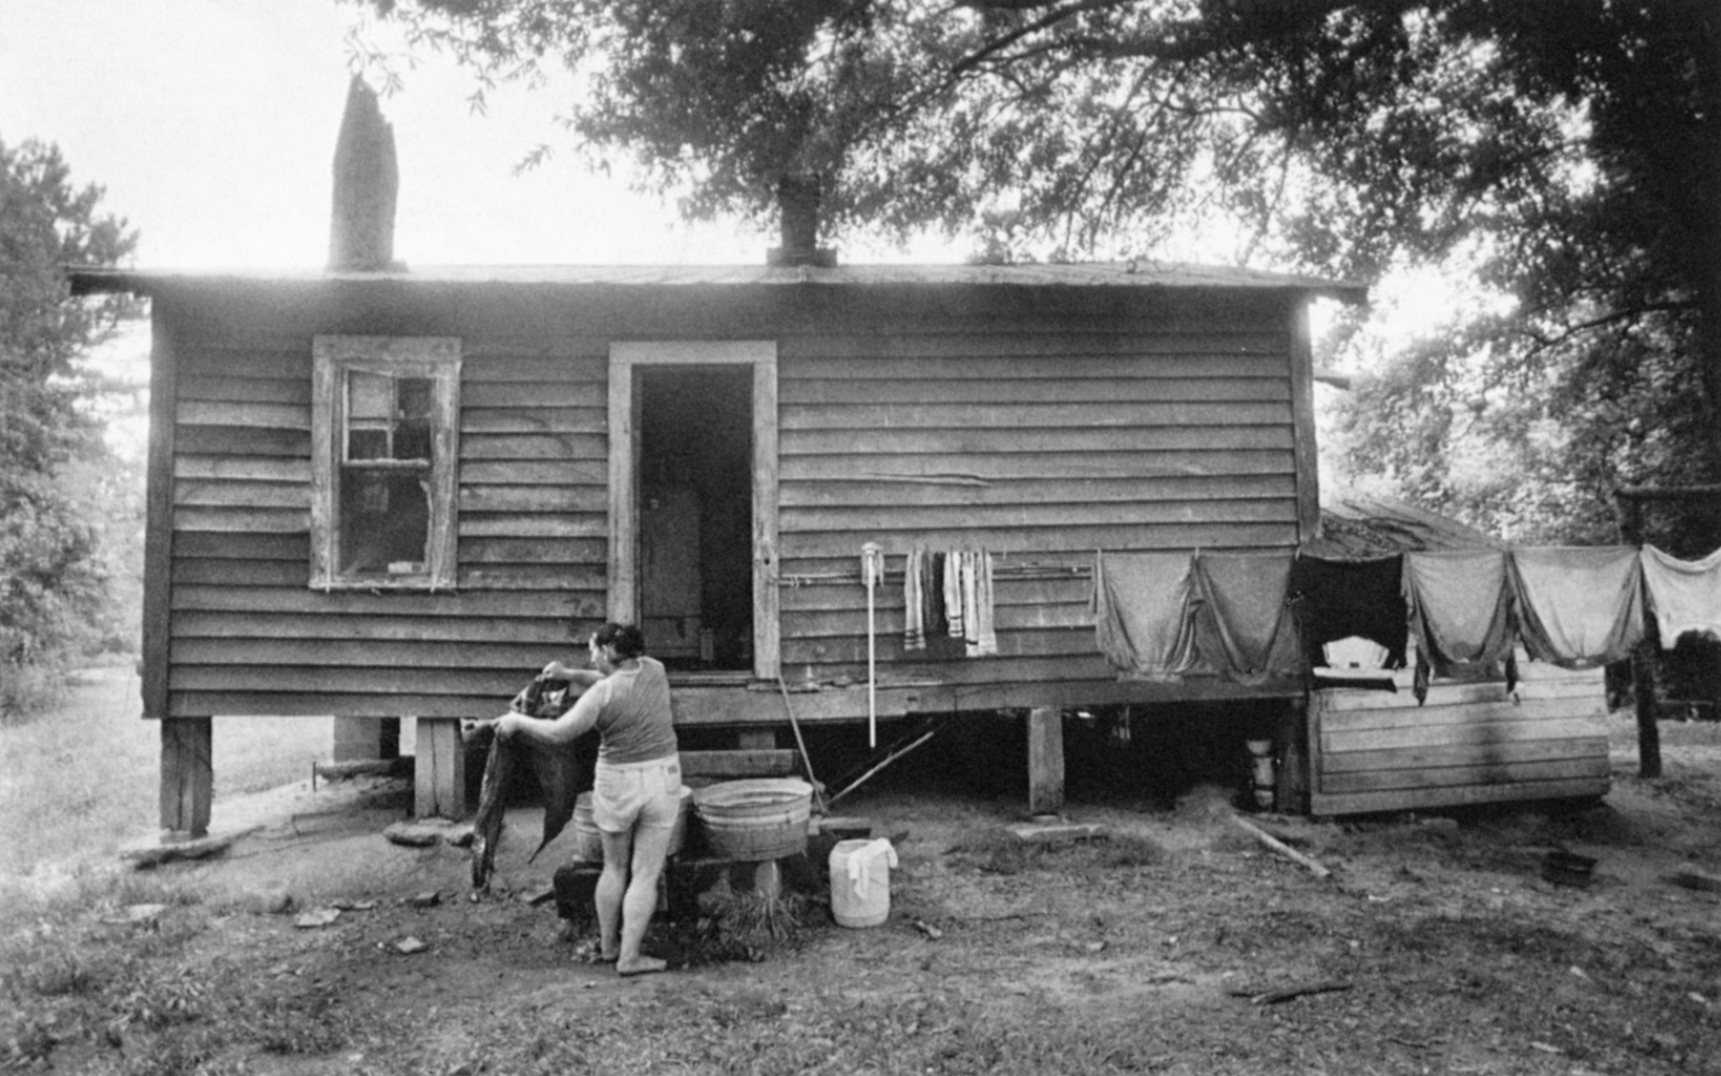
<point x="159" y="514"/>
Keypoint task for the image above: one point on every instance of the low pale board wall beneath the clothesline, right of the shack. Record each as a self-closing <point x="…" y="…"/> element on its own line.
<point x="1471" y="743"/>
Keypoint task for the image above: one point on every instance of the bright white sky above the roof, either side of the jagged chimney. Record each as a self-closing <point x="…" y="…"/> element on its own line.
<point x="213" y="127"/>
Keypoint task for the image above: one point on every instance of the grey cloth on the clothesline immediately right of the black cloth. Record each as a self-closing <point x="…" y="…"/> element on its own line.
<point x="1460" y="612"/>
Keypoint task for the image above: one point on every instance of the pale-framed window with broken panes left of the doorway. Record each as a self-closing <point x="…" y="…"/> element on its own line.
<point x="385" y="442"/>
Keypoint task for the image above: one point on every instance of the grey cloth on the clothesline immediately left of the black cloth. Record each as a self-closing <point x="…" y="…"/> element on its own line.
<point x="1243" y="624"/>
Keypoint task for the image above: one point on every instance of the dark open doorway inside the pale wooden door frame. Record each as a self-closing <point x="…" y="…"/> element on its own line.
<point x="696" y="516"/>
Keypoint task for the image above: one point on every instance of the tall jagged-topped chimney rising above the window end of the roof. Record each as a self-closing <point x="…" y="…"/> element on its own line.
<point x="366" y="187"/>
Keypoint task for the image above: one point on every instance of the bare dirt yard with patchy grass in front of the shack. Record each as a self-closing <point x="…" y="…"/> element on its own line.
<point x="1434" y="946"/>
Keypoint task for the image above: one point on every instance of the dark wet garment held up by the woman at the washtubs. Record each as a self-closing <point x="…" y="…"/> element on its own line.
<point x="562" y="774"/>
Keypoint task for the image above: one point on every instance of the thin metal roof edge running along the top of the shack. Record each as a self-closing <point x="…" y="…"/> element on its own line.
<point x="1095" y="275"/>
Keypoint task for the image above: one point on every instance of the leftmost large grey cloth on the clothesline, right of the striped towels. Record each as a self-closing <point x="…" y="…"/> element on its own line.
<point x="1144" y="610"/>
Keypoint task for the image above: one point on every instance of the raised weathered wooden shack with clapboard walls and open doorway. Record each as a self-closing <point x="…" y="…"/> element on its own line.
<point x="402" y="493"/>
